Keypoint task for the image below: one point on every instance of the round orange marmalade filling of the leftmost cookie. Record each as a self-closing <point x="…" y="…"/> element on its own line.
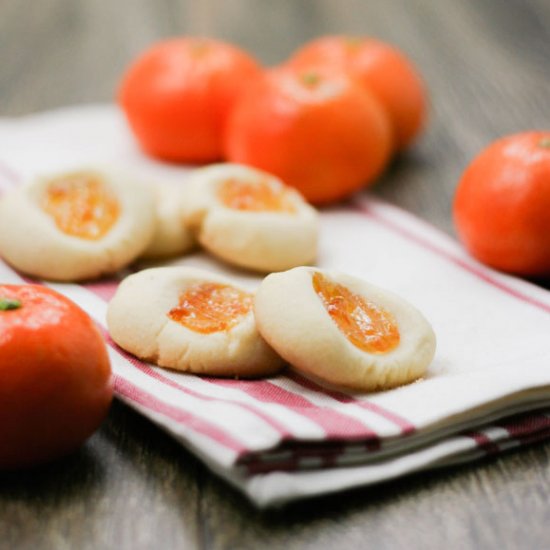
<point x="81" y="206"/>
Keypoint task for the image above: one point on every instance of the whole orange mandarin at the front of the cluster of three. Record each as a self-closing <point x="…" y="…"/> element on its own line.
<point x="319" y="133"/>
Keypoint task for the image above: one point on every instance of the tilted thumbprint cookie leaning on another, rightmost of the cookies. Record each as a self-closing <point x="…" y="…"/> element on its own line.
<point x="343" y="330"/>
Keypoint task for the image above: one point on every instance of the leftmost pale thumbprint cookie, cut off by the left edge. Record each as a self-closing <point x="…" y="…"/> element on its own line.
<point x="76" y="225"/>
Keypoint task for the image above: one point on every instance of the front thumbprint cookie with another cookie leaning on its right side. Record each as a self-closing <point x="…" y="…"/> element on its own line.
<point x="190" y="320"/>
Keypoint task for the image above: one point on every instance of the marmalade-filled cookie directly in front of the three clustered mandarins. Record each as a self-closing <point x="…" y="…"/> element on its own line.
<point x="250" y="218"/>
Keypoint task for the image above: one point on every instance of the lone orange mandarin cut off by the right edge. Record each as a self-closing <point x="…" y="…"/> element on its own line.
<point x="502" y="205"/>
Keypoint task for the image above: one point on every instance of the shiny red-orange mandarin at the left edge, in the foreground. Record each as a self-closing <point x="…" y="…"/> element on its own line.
<point x="55" y="377"/>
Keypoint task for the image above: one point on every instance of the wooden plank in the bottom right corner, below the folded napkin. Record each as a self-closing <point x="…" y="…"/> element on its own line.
<point x="463" y="508"/>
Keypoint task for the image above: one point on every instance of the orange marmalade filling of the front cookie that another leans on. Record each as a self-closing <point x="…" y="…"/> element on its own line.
<point x="211" y="307"/>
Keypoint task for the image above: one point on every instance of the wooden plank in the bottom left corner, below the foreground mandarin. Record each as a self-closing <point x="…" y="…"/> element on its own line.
<point x="128" y="487"/>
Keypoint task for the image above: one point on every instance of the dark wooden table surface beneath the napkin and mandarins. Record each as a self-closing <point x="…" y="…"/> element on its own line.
<point x="487" y="65"/>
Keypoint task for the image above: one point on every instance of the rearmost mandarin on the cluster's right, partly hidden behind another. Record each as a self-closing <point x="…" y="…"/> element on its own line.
<point x="381" y="69"/>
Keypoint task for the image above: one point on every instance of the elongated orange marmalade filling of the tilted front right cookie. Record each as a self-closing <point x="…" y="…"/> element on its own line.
<point x="365" y="324"/>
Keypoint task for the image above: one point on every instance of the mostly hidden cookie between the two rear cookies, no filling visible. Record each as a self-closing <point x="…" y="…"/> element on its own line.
<point x="172" y="237"/>
